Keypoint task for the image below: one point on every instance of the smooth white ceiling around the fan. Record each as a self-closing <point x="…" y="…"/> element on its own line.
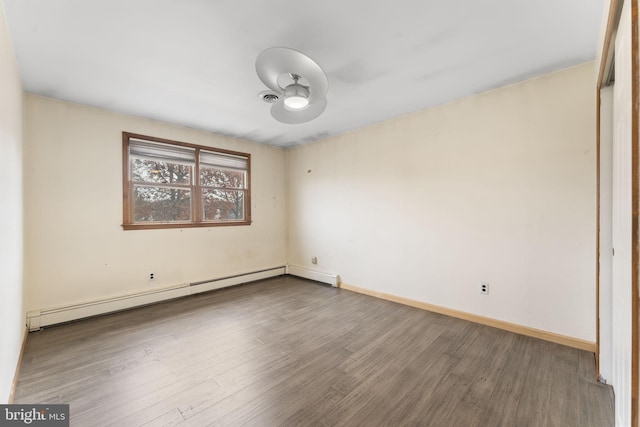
<point x="191" y="62"/>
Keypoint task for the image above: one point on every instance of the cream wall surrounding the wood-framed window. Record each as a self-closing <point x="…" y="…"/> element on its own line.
<point x="76" y="250"/>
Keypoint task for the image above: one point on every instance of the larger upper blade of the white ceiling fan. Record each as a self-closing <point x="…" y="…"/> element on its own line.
<point x="273" y="62"/>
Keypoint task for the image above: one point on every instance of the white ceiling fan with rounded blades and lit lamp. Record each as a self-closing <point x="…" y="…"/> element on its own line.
<point x="298" y="85"/>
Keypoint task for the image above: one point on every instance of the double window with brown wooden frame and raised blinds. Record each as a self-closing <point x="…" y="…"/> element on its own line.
<point x="169" y="184"/>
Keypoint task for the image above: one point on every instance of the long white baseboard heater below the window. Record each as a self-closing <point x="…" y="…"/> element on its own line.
<point x="52" y="316"/>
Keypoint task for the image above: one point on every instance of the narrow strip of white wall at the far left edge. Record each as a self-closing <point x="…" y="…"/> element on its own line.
<point x="12" y="313"/>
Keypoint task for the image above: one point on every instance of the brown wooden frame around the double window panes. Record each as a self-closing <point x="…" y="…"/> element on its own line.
<point x="195" y="187"/>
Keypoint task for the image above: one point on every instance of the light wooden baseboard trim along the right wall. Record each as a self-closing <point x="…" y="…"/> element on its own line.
<point x="589" y="346"/>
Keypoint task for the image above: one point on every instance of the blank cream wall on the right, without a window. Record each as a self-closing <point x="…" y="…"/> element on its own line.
<point x="498" y="188"/>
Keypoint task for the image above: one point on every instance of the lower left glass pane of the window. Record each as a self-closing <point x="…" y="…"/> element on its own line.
<point x="153" y="204"/>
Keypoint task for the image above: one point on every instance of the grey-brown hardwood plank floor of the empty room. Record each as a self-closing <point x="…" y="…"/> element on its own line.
<point x="290" y="352"/>
